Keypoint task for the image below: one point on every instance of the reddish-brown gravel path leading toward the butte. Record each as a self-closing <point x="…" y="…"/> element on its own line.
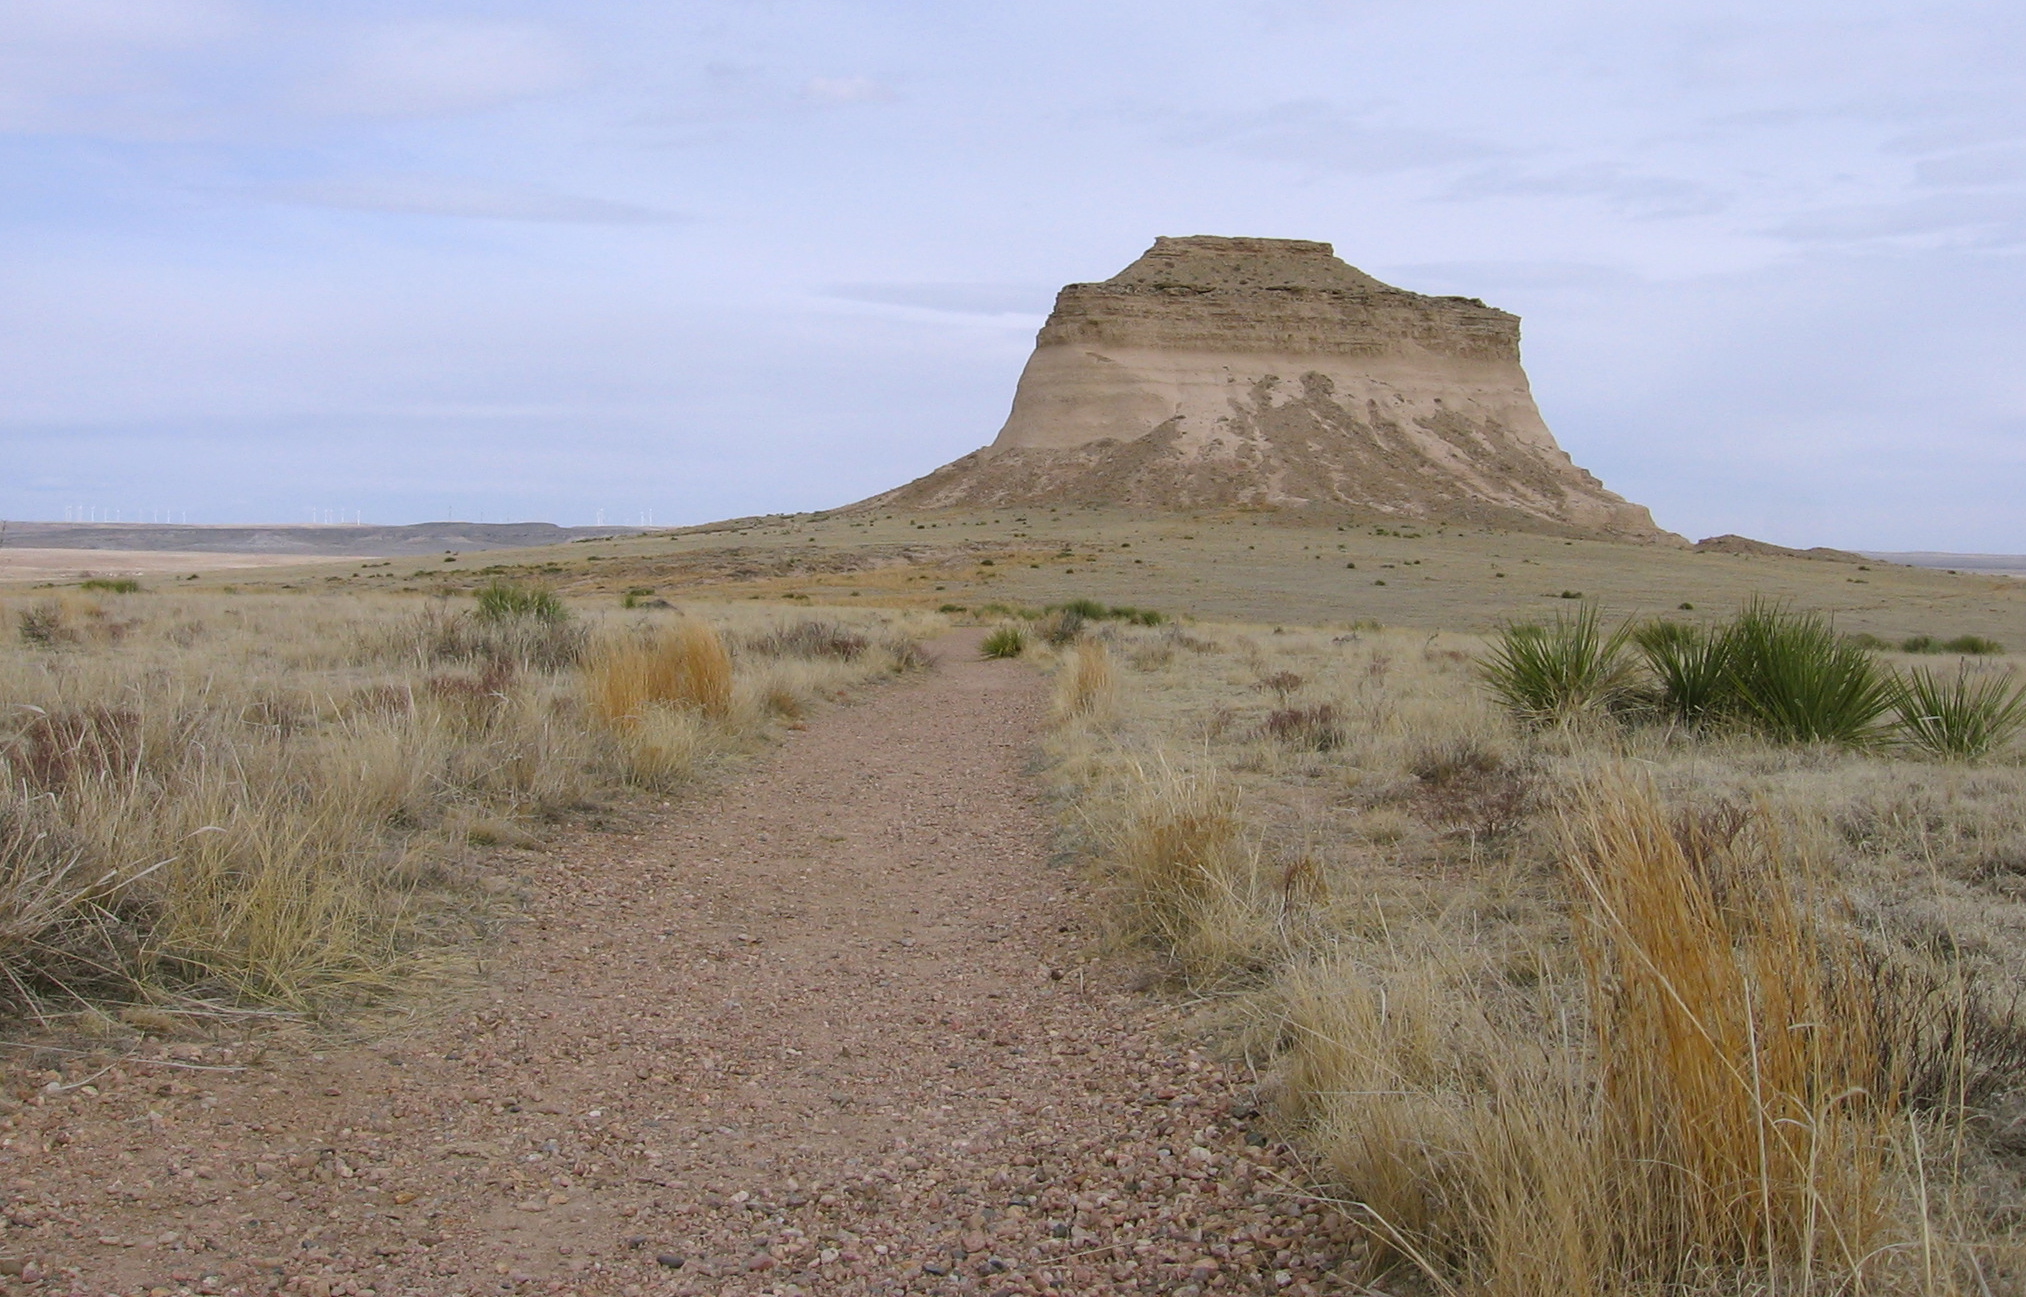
<point x="830" y="1031"/>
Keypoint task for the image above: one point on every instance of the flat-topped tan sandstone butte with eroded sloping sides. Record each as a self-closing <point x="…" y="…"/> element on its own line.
<point x="1267" y="372"/>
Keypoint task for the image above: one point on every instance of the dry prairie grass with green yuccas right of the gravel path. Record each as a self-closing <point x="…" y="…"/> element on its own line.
<point x="1579" y="976"/>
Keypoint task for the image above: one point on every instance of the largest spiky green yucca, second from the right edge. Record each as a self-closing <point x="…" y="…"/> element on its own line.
<point x="1798" y="682"/>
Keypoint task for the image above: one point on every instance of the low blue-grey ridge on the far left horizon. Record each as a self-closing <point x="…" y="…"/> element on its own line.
<point x="390" y="542"/>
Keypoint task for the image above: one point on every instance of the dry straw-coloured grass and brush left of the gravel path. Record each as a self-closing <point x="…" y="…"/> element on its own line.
<point x="283" y="802"/>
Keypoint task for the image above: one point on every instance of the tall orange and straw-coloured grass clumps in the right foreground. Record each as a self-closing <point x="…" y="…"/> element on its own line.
<point x="1701" y="1105"/>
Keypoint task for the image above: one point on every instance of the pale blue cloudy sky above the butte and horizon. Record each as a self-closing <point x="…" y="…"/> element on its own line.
<point x="538" y="260"/>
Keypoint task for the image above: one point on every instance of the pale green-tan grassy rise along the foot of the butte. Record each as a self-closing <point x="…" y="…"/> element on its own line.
<point x="1243" y="566"/>
